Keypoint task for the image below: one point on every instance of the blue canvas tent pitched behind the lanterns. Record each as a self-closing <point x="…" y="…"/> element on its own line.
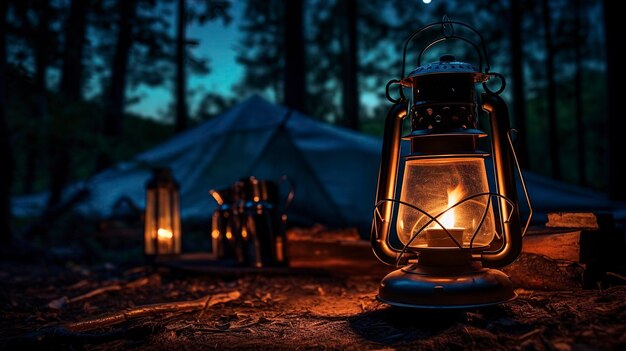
<point x="335" y="170"/>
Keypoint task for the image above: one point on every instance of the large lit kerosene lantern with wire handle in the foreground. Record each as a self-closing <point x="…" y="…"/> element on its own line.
<point x="451" y="220"/>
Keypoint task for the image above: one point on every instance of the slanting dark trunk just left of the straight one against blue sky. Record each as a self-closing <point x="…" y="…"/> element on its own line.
<point x="114" y="115"/>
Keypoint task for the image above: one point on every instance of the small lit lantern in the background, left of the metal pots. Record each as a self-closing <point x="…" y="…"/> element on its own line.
<point x="162" y="232"/>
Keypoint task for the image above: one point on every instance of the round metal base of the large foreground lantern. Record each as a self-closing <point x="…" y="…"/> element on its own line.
<point x="456" y="284"/>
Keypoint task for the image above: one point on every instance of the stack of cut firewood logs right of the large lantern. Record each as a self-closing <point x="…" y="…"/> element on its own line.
<point x="575" y="257"/>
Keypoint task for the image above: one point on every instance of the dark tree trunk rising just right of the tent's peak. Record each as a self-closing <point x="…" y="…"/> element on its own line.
<point x="295" y="75"/>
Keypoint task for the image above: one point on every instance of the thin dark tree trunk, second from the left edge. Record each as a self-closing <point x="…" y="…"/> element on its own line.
<point x="40" y="106"/>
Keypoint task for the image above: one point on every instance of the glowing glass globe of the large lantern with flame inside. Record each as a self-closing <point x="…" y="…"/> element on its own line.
<point x="437" y="186"/>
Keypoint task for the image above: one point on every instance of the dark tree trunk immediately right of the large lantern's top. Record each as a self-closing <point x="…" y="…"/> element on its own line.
<point x="517" y="68"/>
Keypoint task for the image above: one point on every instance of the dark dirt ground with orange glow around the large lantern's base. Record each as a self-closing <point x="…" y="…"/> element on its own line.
<point x="291" y="309"/>
